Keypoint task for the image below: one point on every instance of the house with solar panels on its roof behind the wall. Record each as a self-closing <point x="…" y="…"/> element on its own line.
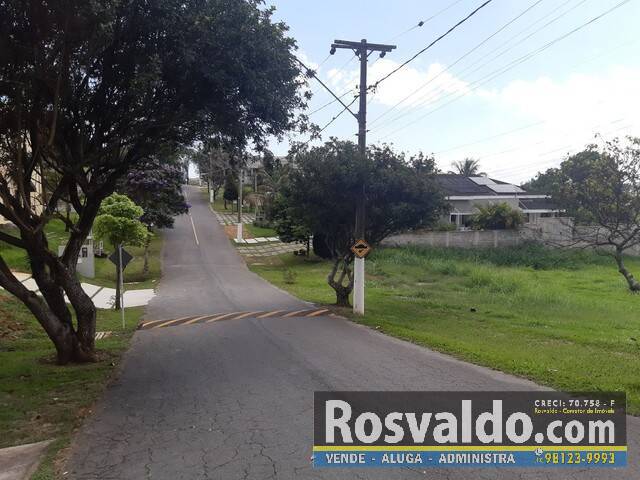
<point x="465" y="194"/>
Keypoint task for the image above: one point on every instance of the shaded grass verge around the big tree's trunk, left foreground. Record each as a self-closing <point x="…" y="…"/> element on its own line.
<point x="39" y="399"/>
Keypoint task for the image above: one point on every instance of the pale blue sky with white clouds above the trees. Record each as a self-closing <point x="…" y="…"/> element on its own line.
<point x="511" y="86"/>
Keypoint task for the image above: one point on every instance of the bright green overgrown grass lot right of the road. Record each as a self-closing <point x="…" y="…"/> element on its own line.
<point x="562" y="318"/>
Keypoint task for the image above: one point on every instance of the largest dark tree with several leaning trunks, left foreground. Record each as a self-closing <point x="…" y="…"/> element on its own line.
<point x="90" y="89"/>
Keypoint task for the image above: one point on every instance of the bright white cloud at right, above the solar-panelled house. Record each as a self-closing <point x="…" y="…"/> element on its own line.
<point x="570" y="112"/>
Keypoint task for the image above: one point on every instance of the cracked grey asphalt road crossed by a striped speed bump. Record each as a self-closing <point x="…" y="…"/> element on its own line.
<point x="234" y="399"/>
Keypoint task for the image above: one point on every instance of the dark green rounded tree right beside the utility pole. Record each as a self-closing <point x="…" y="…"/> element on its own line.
<point x="325" y="182"/>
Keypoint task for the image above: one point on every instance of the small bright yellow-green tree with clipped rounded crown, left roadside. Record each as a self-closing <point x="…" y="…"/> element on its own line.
<point x="118" y="222"/>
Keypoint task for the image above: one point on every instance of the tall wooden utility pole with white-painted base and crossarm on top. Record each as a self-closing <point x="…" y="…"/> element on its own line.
<point x="362" y="49"/>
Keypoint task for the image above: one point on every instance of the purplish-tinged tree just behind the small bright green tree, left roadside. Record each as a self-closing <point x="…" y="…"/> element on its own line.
<point x="156" y="186"/>
